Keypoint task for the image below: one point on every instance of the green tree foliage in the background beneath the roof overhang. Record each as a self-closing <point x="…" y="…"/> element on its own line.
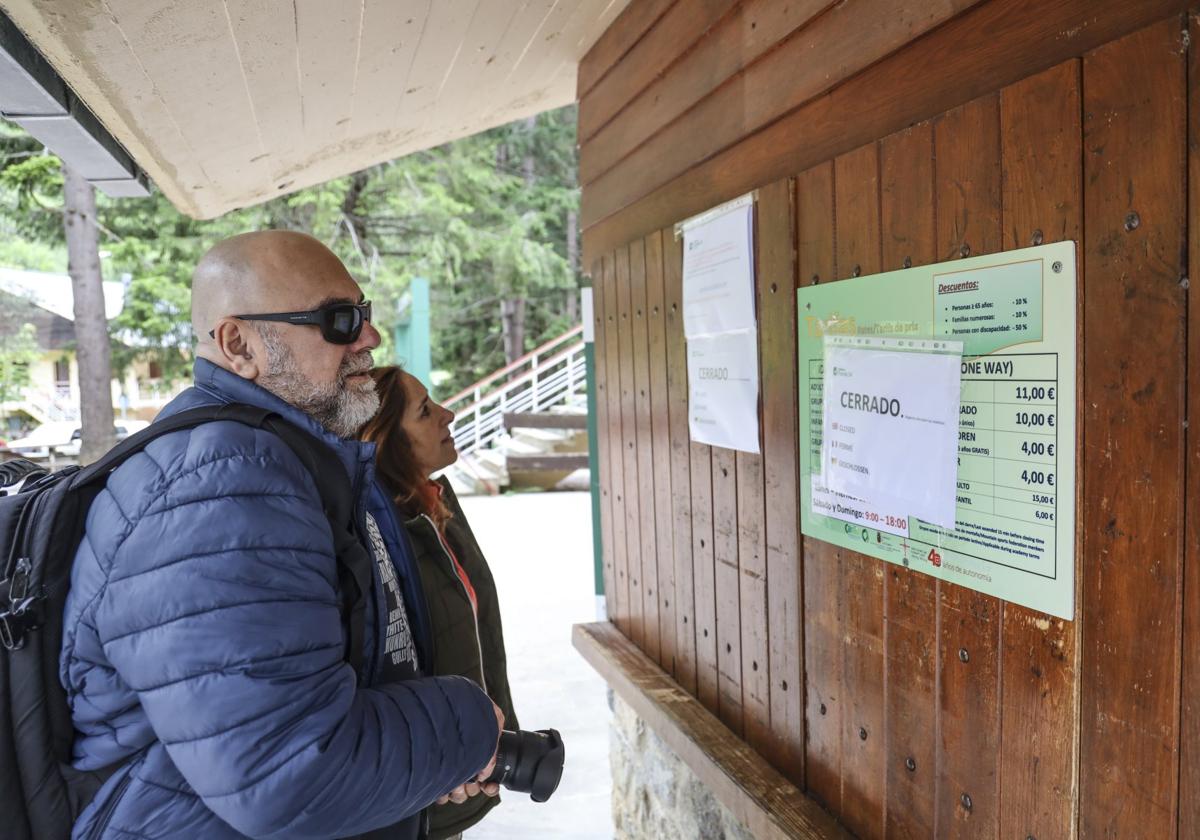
<point x="484" y="219"/>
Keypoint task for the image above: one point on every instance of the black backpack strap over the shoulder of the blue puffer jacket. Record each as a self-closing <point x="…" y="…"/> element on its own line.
<point x="328" y="475"/>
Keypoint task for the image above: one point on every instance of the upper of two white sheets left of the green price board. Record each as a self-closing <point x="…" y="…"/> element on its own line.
<point x="718" y="274"/>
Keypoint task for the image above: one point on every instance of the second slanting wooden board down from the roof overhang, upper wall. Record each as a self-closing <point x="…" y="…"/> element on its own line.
<point x="671" y="37"/>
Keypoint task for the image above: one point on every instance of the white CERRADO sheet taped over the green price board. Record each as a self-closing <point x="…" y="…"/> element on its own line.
<point x="892" y="424"/>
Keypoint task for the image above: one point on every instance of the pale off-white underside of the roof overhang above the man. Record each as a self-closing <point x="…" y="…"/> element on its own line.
<point x="226" y="104"/>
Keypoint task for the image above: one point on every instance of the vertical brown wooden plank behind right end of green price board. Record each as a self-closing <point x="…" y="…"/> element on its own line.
<point x="1041" y="147"/>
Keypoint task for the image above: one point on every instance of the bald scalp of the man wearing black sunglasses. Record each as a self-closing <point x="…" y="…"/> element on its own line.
<point x="262" y="272"/>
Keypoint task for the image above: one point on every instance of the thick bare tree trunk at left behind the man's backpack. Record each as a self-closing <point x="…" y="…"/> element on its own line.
<point x="91" y="328"/>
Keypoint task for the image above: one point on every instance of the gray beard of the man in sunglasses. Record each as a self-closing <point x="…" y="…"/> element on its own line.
<point x="337" y="406"/>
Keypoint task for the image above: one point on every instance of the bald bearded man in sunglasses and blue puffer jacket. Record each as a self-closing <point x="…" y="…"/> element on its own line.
<point x="205" y="653"/>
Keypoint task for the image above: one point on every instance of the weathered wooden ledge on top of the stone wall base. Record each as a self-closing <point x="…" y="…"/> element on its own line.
<point x="754" y="793"/>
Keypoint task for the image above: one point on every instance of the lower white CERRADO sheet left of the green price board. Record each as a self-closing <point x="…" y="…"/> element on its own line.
<point x="723" y="383"/>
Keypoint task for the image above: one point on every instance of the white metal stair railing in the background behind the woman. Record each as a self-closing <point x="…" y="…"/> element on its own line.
<point x="535" y="383"/>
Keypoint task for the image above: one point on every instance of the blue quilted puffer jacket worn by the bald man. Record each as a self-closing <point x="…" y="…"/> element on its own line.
<point x="203" y="646"/>
